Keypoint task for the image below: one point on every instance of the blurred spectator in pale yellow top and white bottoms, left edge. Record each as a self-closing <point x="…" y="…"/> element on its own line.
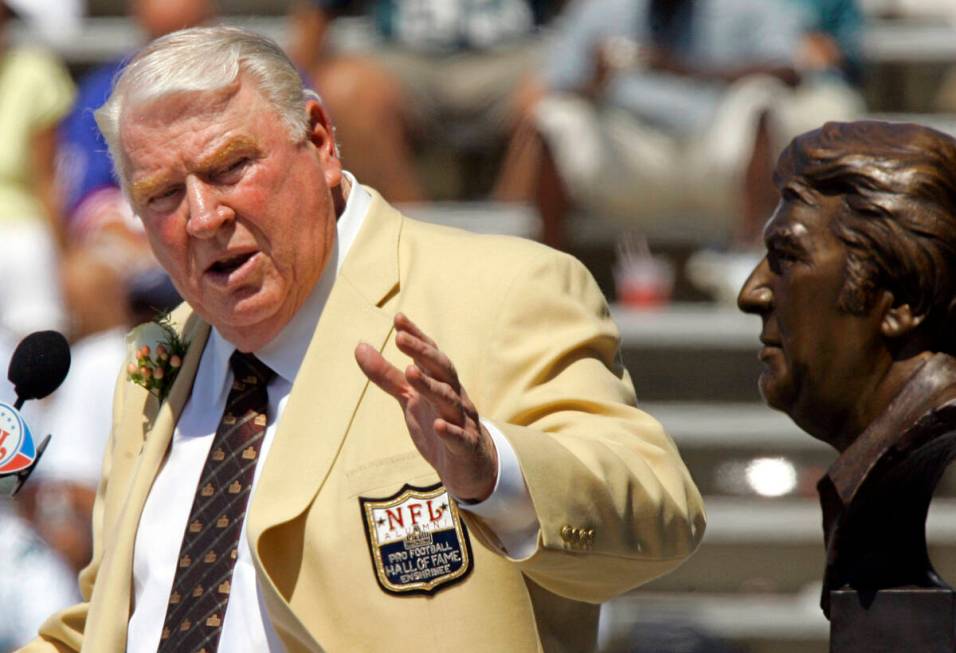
<point x="35" y="92"/>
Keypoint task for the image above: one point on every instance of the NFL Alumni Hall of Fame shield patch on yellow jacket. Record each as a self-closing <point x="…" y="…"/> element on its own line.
<point x="418" y="542"/>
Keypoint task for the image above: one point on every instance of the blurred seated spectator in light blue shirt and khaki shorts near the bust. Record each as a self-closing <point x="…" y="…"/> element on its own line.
<point x="670" y="110"/>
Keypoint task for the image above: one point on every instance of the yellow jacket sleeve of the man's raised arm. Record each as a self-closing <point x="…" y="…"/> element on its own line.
<point x="615" y="503"/>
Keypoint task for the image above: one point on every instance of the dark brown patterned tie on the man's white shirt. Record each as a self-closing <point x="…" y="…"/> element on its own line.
<point x="197" y="603"/>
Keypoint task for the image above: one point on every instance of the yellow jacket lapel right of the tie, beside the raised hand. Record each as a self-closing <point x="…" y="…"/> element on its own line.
<point x="325" y="395"/>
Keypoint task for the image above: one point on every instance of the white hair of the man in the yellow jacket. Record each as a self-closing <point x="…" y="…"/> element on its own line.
<point x="205" y="59"/>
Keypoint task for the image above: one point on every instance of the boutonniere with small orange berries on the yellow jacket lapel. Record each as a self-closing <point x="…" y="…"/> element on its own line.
<point x="156" y="352"/>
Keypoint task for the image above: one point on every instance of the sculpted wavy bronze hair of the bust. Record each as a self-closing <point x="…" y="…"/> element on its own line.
<point x="898" y="186"/>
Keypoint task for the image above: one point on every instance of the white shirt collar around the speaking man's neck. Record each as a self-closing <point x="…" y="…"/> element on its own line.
<point x="284" y="354"/>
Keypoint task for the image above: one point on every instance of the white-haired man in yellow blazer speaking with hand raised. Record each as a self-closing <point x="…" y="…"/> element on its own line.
<point x="494" y="519"/>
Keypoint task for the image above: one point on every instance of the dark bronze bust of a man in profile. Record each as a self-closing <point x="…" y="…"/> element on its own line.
<point x="856" y="294"/>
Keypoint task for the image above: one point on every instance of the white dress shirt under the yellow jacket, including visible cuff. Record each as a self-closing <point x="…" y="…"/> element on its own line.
<point x="246" y="625"/>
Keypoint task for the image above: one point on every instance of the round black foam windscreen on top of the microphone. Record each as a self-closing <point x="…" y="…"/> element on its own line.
<point x="39" y="364"/>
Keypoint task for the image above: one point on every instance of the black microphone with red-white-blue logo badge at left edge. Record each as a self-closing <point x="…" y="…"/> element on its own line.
<point x="38" y="366"/>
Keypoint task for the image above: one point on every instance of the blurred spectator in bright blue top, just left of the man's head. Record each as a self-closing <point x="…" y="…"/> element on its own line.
<point x="107" y="243"/>
